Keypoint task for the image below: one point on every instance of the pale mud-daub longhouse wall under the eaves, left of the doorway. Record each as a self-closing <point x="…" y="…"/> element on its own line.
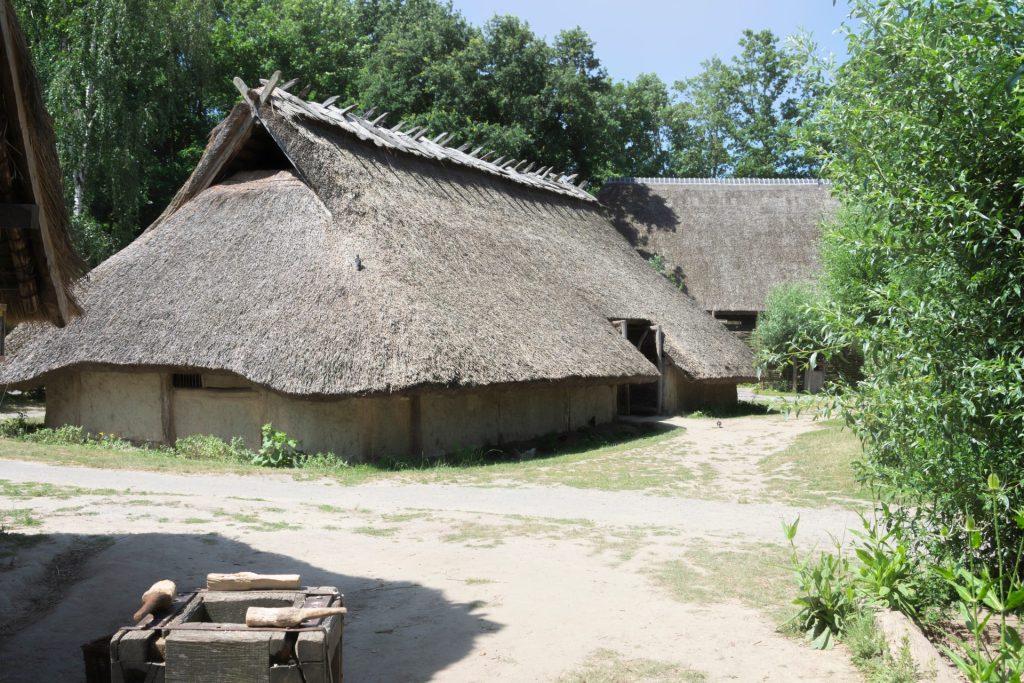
<point x="146" y="407"/>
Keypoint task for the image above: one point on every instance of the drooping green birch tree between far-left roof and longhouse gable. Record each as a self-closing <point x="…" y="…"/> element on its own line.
<point x="126" y="97"/>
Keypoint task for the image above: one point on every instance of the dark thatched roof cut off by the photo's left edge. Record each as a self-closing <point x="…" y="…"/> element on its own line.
<point x="37" y="262"/>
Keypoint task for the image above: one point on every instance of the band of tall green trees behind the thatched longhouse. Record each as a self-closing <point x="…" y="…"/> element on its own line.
<point x="136" y="86"/>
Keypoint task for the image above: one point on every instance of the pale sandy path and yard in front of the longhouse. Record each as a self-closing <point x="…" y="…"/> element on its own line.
<point x="447" y="583"/>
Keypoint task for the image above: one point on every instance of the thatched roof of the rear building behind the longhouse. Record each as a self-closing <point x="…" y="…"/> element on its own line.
<point x="732" y="240"/>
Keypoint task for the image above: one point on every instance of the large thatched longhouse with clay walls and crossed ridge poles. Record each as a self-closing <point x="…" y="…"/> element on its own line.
<point x="372" y="292"/>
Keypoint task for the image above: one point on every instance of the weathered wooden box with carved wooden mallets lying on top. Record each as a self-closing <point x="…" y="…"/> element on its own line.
<point x="203" y="637"/>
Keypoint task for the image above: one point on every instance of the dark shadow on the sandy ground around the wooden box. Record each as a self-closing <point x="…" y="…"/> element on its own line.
<point x="396" y="630"/>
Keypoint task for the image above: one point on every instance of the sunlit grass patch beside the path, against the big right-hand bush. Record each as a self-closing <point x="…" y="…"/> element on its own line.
<point x="818" y="469"/>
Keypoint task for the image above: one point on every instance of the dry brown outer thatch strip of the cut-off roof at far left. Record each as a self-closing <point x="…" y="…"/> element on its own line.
<point x="64" y="266"/>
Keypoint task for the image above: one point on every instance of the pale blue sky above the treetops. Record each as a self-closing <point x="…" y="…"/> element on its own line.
<point x="668" y="38"/>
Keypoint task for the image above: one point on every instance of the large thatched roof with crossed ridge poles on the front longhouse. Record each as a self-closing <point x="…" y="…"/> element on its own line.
<point x="347" y="267"/>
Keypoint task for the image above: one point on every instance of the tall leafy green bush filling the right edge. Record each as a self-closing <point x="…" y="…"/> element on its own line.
<point x="923" y="133"/>
